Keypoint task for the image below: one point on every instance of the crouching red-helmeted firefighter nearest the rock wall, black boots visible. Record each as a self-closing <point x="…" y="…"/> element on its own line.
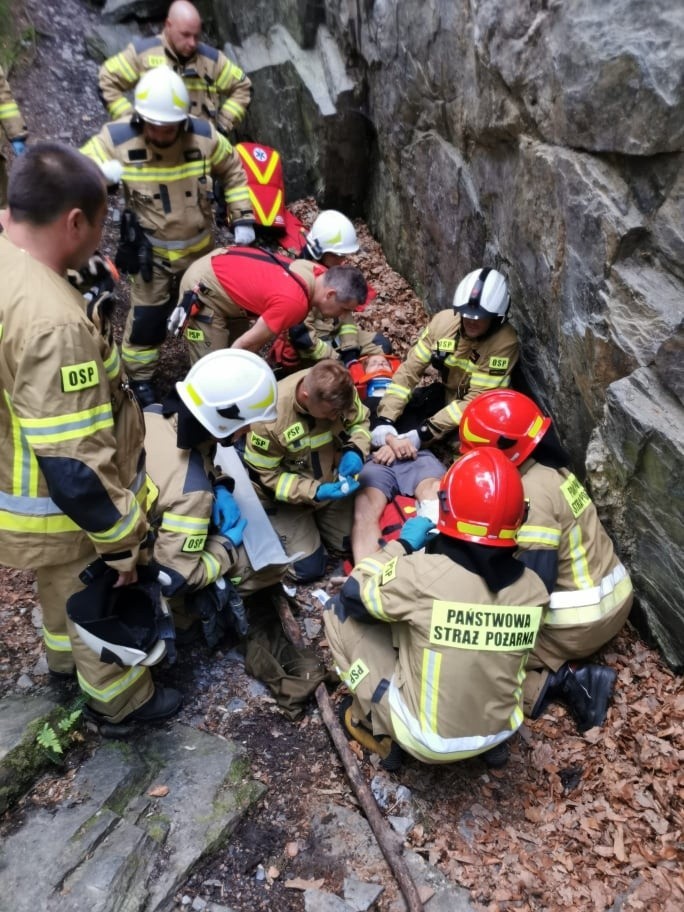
<point x="564" y="542"/>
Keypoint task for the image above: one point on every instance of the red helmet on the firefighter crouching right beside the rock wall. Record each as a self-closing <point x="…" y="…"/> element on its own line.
<point x="507" y="420"/>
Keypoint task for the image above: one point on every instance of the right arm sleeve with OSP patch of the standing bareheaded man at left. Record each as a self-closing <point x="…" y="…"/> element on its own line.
<point x="62" y="400"/>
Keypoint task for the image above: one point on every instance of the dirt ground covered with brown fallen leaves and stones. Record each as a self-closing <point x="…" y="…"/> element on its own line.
<point x="573" y="822"/>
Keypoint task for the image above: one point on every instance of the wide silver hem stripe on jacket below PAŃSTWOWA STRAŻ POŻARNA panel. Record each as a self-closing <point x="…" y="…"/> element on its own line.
<point x="428" y="744"/>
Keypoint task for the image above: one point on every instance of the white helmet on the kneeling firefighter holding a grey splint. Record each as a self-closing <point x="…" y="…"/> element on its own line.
<point x="227" y="389"/>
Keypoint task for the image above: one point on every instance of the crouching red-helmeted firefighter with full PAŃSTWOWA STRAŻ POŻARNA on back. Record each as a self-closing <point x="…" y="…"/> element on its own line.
<point x="432" y="643"/>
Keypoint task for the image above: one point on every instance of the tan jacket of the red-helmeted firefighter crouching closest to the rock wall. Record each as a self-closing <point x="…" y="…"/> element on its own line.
<point x="564" y="541"/>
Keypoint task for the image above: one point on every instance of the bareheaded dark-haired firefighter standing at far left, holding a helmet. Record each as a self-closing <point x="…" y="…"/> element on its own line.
<point x="73" y="477"/>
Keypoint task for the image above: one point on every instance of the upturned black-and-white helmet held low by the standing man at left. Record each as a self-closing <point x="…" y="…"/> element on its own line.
<point x="126" y="626"/>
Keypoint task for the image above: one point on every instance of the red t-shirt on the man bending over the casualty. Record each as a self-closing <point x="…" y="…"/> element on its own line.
<point x="262" y="284"/>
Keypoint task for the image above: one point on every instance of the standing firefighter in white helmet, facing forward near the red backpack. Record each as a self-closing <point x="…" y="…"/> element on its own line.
<point x="165" y="161"/>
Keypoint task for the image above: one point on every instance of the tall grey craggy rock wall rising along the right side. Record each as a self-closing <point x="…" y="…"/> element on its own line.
<point x="541" y="136"/>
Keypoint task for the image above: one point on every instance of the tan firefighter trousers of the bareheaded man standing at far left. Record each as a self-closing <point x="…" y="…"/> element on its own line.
<point x="112" y="691"/>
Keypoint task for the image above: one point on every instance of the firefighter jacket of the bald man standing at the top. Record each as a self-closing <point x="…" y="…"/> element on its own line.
<point x="219" y="90"/>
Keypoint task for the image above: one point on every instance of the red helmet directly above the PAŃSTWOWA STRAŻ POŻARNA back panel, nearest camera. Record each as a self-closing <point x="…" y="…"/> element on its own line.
<point x="481" y="499"/>
